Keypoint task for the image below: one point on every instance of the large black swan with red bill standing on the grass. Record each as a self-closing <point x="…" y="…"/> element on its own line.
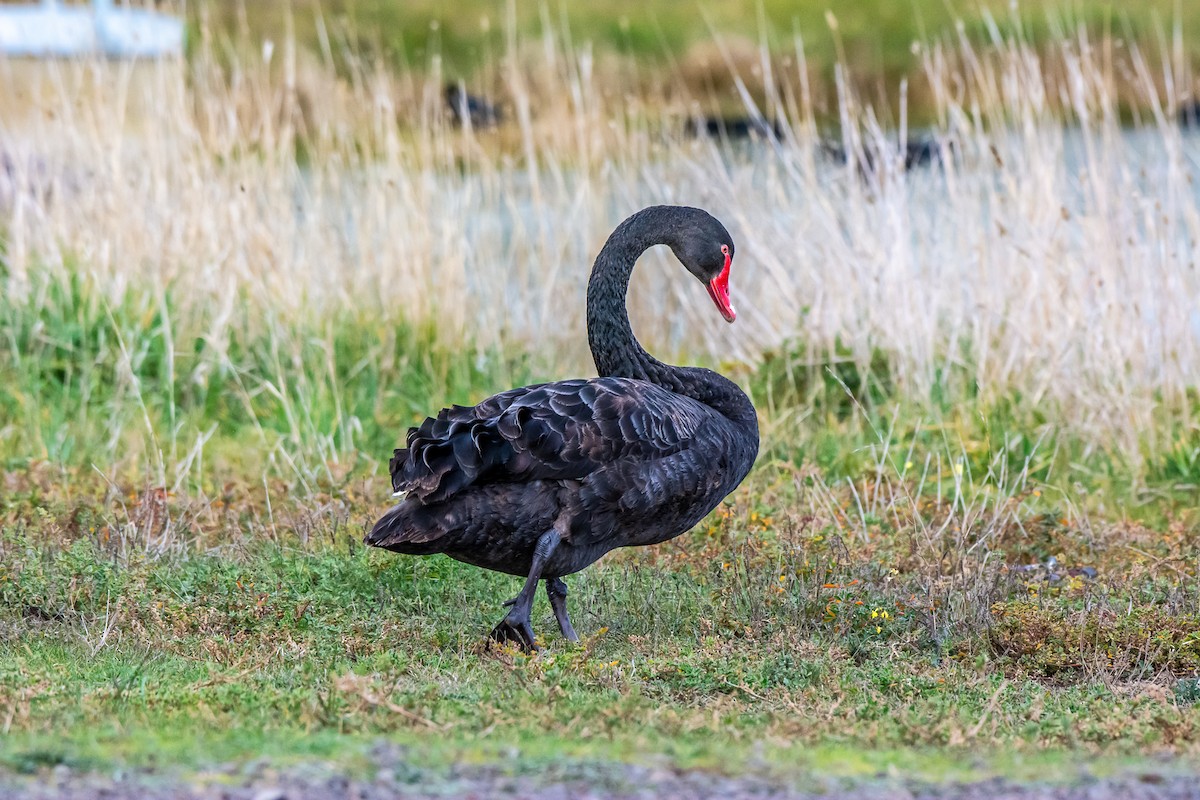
<point x="542" y="482"/>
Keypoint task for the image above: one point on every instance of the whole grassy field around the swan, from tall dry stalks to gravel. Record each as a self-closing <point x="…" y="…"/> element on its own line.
<point x="970" y="543"/>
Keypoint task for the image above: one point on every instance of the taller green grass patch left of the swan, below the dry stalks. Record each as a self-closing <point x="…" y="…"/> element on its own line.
<point x="116" y="377"/>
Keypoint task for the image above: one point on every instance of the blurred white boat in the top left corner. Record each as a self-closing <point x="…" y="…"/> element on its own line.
<point x="51" y="29"/>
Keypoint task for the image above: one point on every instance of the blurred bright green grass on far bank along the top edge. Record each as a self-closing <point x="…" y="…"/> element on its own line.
<point x="877" y="35"/>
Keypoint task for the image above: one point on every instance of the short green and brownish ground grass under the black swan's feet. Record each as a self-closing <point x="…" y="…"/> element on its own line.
<point x="694" y="653"/>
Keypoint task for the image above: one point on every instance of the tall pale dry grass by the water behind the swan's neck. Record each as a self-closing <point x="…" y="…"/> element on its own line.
<point x="1054" y="257"/>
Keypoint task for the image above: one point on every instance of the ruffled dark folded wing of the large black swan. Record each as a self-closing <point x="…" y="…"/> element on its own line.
<point x="560" y="431"/>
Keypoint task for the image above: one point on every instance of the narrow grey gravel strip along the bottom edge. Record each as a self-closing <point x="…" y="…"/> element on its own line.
<point x="397" y="778"/>
